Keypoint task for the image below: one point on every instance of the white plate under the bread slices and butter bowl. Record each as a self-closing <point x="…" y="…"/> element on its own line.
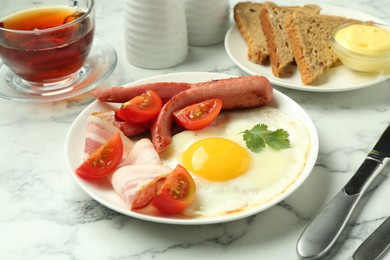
<point x="336" y="79"/>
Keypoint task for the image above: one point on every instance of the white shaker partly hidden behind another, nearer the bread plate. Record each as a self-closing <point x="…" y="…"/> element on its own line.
<point x="207" y="21"/>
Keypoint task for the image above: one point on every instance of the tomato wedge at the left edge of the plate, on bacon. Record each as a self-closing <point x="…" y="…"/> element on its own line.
<point x="103" y="161"/>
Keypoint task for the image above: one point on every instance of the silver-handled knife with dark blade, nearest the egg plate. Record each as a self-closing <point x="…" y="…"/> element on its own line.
<point x="324" y="229"/>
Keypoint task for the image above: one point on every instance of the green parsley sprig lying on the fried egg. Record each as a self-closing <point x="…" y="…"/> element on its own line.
<point x="259" y="136"/>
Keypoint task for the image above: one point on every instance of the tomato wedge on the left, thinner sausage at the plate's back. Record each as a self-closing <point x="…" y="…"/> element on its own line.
<point x="141" y="108"/>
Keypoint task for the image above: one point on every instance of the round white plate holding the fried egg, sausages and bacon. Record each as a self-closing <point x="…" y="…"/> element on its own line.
<point x="104" y="193"/>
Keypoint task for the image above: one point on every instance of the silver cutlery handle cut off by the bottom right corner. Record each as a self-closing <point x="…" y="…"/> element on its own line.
<point x="376" y="245"/>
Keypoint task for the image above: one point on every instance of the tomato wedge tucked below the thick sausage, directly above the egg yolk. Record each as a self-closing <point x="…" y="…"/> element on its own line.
<point x="199" y="115"/>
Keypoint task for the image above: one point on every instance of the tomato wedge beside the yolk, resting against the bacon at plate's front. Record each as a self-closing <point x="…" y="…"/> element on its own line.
<point x="176" y="193"/>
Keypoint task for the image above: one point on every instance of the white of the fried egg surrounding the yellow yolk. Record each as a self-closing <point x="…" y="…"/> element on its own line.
<point x="269" y="174"/>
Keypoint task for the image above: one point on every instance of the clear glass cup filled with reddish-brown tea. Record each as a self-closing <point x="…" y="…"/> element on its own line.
<point x="45" y="43"/>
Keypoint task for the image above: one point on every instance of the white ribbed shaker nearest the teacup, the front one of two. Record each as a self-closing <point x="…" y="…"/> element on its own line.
<point x="155" y="33"/>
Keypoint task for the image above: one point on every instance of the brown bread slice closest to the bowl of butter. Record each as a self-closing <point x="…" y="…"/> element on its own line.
<point x="310" y="37"/>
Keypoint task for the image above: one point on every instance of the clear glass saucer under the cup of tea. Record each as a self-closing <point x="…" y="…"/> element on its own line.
<point x="99" y="65"/>
